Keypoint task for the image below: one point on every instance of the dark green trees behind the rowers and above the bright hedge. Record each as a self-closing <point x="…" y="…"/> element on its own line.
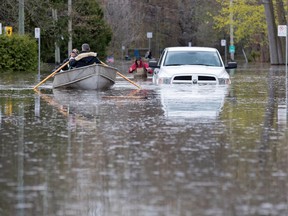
<point x="52" y="18"/>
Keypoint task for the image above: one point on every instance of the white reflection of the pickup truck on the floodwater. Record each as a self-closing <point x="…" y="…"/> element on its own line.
<point x="196" y="102"/>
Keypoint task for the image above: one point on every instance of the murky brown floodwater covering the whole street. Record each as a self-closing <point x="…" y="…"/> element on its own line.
<point x="160" y="151"/>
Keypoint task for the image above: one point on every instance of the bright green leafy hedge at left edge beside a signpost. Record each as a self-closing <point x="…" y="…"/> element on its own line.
<point x="18" y="53"/>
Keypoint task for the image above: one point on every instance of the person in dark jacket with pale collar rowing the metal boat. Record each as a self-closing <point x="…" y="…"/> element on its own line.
<point x="86" y="57"/>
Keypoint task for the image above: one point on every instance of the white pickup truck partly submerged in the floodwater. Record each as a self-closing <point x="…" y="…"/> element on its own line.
<point x="193" y="65"/>
